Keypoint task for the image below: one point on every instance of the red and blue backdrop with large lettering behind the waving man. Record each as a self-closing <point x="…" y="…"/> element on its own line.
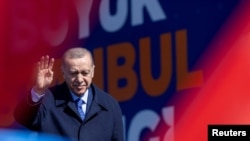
<point x="175" y="66"/>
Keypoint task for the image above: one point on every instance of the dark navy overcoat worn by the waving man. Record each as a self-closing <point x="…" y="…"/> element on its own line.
<point x="56" y="113"/>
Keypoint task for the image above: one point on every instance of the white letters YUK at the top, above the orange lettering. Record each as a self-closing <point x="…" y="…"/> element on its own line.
<point x="114" y="22"/>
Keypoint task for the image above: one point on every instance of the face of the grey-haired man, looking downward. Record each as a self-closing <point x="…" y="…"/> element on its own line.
<point x="78" y="74"/>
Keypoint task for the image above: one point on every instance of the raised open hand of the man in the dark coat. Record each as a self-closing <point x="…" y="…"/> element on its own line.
<point x="44" y="74"/>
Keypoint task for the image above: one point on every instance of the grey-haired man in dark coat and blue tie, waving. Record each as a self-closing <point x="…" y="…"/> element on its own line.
<point x="55" y="110"/>
